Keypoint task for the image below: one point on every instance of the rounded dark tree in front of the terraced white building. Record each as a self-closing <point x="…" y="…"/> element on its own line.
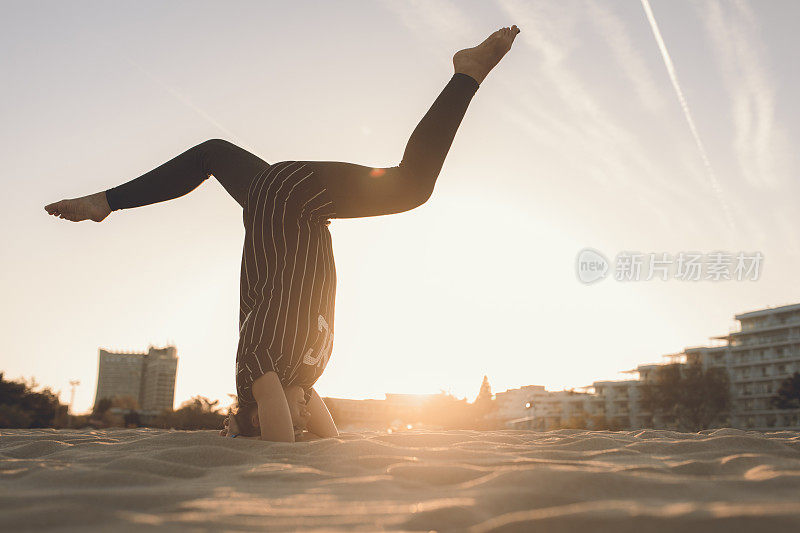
<point x="695" y="397"/>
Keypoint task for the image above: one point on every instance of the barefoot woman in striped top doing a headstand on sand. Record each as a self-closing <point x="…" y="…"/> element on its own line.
<point x="288" y="277"/>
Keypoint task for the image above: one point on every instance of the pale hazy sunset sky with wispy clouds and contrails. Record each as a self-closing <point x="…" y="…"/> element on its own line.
<point x="621" y="126"/>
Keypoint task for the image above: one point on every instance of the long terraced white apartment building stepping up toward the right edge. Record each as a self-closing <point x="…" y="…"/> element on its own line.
<point x="760" y="354"/>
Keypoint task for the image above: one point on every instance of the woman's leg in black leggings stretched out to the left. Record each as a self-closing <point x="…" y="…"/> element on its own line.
<point x="233" y="167"/>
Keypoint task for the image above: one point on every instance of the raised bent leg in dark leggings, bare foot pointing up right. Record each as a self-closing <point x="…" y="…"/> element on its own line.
<point x="359" y="191"/>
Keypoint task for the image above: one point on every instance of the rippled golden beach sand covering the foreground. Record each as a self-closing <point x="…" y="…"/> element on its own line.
<point x="558" y="481"/>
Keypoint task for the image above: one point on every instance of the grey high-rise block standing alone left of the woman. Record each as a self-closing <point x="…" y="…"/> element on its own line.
<point x="146" y="377"/>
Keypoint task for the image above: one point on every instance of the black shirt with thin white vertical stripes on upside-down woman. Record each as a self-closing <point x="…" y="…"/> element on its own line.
<point x="288" y="279"/>
